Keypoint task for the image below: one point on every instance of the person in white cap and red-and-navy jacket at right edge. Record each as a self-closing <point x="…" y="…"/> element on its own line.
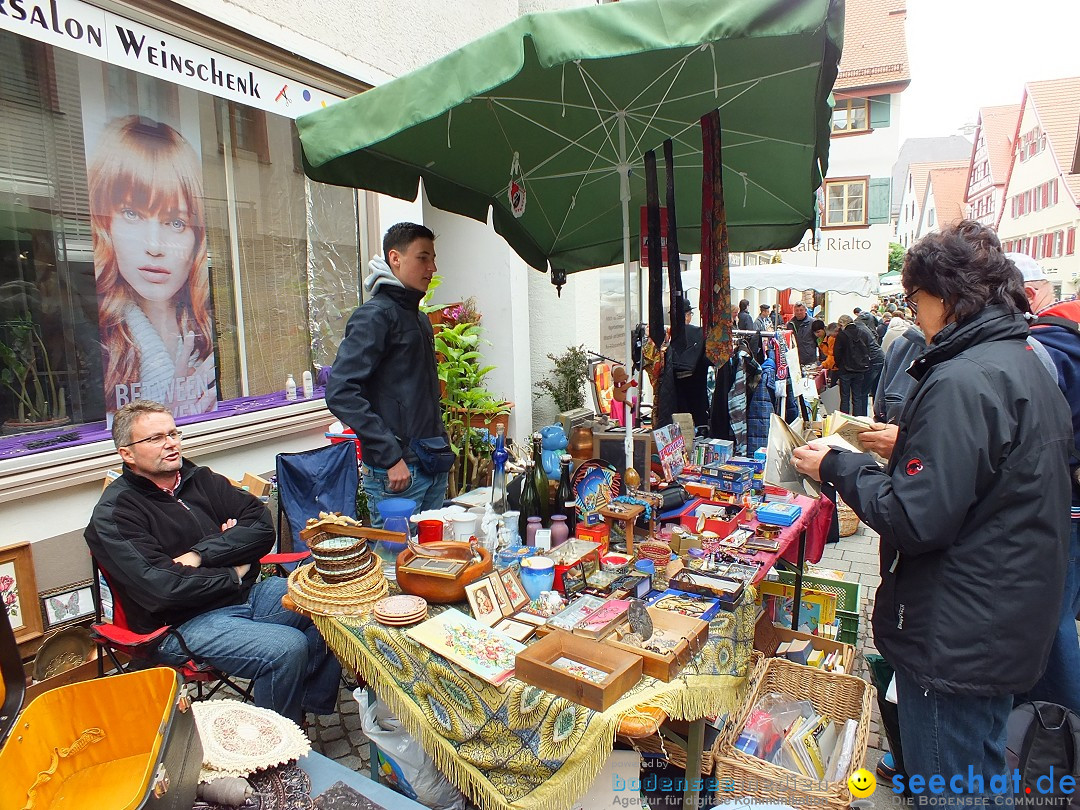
<point x="1056" y="328"/>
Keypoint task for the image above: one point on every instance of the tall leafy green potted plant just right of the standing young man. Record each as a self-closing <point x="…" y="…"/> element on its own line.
<point x="470" y="412"/>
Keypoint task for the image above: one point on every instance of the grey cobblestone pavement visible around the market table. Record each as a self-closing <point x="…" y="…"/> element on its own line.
<point x="340" y="736"/>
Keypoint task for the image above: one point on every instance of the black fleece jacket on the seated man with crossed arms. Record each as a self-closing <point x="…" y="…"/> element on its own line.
<point x="138" y="530"/>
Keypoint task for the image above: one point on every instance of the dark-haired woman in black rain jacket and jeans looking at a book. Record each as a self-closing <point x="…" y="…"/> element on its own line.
<point x="973" y="511"/>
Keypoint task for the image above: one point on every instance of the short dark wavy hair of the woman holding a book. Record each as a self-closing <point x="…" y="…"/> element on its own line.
<point x="965" y="266"/>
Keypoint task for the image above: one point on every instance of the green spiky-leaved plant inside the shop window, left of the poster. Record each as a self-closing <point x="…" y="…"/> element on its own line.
<point x="28" y="374"/>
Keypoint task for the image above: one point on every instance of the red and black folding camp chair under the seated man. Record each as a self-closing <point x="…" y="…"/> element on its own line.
<point x="119" y="642"/>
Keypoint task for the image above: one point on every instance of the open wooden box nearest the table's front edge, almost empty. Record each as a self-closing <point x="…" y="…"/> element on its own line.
<point x="536" y="666"/>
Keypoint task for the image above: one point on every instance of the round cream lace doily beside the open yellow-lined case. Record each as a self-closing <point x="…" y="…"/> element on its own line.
<point x="240" y="739"/>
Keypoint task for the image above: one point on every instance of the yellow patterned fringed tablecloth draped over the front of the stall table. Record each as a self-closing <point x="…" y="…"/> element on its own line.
<point x="516" y="746"/>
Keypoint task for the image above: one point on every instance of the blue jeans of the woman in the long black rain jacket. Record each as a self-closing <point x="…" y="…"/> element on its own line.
<point x="953" y="735"/>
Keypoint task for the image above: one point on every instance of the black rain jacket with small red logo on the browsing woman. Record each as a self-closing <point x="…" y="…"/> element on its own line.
<point x="974" y="512"/>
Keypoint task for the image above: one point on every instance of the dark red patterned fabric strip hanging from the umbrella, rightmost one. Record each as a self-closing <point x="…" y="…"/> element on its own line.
<point x="715" y="295"/>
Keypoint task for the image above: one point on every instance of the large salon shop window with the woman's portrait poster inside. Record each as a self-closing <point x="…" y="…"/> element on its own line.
<point x="271" y="260"/>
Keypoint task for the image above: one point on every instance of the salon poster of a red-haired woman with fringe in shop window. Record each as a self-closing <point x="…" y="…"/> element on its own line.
<point x="150" y="233"/>
